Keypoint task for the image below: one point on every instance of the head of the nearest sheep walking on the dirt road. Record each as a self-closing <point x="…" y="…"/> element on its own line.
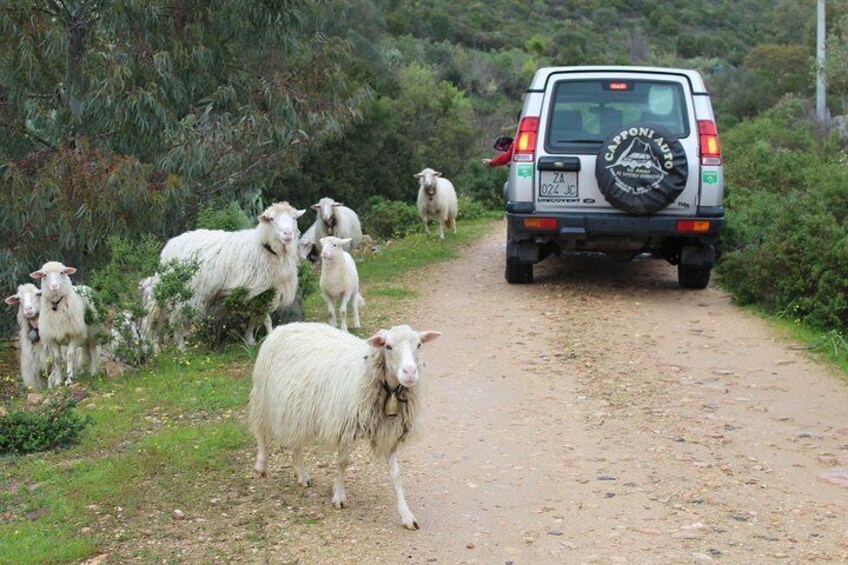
<point x="400" y="346"/>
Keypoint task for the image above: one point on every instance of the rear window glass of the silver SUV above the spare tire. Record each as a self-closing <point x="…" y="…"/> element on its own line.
<point x="586" y="112"/>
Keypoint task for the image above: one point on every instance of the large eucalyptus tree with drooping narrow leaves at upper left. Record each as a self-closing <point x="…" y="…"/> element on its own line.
<point x="120" y="117"/>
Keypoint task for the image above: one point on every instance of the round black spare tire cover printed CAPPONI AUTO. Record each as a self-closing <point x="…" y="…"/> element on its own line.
<point x="641" y="168"/>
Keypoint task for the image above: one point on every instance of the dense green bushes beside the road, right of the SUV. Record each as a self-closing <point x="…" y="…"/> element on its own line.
<point x="786" y="244"/>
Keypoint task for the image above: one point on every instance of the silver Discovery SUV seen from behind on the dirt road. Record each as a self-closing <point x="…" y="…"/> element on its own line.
<point x="619" y="160"/>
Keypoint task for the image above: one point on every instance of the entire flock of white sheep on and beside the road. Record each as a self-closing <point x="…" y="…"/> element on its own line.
<point x="312" y="383"/>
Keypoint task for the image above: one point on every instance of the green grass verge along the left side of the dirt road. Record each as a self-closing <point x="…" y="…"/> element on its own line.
<point x="172" y="436"/>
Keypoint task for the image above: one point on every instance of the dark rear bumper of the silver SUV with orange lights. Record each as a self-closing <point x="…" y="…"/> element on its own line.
<point x="584" y="226"/>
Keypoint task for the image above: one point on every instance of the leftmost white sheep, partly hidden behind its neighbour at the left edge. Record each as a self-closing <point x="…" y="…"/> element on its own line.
<point x="32" y="350"/>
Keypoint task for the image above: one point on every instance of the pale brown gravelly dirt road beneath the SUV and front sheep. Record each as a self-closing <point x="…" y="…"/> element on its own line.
<point x="601" y="415"/>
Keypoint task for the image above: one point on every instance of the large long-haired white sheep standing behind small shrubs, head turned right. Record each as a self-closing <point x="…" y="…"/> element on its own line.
<point x="257" y="259"/>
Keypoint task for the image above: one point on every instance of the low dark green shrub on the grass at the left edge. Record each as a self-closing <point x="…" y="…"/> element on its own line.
<point x="53" y="424"/>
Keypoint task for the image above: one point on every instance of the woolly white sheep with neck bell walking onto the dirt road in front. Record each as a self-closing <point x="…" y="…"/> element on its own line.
<point x="316" y="385"/>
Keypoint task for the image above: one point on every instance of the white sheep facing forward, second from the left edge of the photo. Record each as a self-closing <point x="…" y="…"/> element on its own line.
<point x="62" y="322"/>
